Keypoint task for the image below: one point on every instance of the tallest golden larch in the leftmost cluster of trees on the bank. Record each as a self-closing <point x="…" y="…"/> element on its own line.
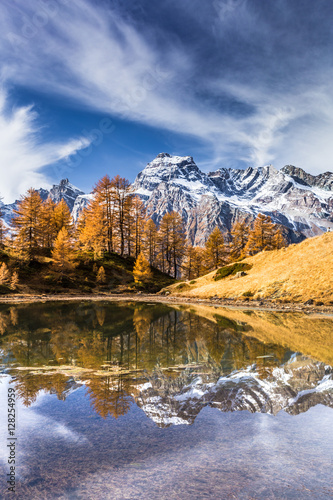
<point x="27" y="223"/>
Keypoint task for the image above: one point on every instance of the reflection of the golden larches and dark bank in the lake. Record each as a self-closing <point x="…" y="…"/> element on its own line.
<point x="113" y="349"/>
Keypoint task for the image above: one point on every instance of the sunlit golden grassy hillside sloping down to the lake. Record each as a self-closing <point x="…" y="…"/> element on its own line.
<point x="293" y="274"/>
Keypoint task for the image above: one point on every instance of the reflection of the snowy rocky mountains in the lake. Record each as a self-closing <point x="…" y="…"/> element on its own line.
<point x="293" y="387"/>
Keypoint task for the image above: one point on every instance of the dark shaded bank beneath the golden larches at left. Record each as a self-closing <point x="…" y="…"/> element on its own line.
<point x="40" y="276"/>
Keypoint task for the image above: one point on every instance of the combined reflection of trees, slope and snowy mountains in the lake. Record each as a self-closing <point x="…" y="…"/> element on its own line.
<point x="171" y="361"/>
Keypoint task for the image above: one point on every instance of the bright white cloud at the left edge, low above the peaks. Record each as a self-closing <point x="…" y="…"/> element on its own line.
<point x="22" y="155"/>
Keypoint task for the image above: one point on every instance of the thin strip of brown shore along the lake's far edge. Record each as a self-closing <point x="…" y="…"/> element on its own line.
<point x="153" y="298"/>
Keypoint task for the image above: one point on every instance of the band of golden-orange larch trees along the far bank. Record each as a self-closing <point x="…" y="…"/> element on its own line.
<point x="115" y="221"/>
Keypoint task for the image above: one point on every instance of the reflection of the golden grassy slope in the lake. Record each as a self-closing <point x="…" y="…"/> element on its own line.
<point x="310" y="335"/>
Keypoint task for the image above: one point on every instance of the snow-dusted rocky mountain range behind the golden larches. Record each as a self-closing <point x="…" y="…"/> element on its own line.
<point x="301" y="202"/>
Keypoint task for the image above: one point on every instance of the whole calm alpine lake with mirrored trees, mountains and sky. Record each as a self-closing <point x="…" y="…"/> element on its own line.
<point x="129" y="400"/>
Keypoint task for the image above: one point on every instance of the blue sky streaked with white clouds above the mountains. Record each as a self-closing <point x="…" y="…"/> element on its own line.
<point x="89" y="87"/>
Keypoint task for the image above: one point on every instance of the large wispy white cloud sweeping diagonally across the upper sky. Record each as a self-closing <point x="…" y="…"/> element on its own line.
<point x="105" y="62"/>
